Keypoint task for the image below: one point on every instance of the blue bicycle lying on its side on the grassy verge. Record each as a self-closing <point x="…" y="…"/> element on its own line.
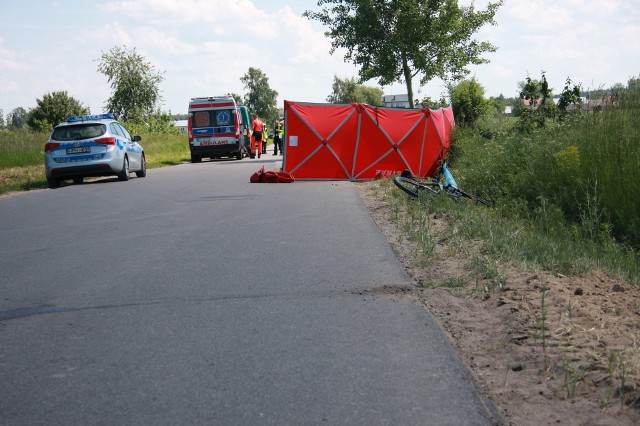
<point x="414" y="187"/>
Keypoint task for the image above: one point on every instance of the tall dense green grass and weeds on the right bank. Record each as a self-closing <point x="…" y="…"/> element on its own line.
<point x="587" y="168"/>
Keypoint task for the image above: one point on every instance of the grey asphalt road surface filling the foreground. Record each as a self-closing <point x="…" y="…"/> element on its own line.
<point x="194" y="297"/>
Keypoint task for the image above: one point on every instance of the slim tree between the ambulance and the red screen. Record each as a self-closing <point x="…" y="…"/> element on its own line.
<point x="260" y="97"/>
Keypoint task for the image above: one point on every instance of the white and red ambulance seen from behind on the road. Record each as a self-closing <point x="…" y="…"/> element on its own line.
<point x="215" y="128"/>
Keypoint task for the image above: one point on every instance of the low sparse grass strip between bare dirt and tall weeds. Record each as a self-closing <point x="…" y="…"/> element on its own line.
<point x="510" y="232"/>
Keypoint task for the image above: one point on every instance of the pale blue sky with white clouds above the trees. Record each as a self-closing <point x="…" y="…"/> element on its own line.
<point x="204" y="47"/>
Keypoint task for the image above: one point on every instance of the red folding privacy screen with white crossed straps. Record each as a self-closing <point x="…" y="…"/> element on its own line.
<point x="358" y="141"/>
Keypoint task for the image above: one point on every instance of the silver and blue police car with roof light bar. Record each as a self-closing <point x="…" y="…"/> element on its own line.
<point x="92" y="145"/>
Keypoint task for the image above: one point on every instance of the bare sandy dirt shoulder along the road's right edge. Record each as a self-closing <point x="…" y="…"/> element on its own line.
<point x="546" y="349"/>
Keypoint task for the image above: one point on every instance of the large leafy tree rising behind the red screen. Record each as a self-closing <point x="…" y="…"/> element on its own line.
<point x="395" y="40"/>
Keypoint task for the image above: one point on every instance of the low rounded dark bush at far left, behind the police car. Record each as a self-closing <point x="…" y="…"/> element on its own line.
<point x="52" y="109"/>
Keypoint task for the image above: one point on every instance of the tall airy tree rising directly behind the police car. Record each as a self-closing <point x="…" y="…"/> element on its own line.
<point x="135" y="84"/>
